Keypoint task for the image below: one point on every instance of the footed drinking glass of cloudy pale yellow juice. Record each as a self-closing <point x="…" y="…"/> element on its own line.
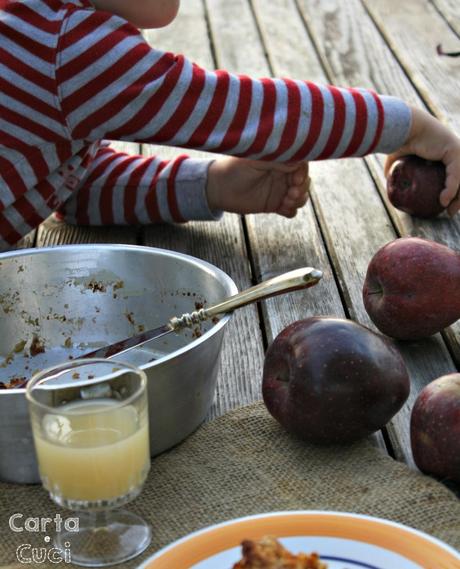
<point x="90" y="427"/>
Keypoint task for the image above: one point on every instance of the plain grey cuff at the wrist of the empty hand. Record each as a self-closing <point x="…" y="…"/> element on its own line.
<point x="190" y="185"/>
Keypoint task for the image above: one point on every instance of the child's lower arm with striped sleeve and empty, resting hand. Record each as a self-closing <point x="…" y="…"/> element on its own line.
<point x="128" y="189"/>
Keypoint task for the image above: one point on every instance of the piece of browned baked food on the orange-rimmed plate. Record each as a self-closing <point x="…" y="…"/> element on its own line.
<point x="268" y="553"/>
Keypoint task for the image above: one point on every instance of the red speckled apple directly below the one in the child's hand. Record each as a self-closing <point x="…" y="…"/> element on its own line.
<point x="411" y="288"/>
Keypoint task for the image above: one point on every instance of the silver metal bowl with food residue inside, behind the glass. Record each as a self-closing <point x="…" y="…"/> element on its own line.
<point x="73" y="299"/>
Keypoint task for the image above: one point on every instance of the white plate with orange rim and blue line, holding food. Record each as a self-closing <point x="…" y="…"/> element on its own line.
<point x="343" y="540"/>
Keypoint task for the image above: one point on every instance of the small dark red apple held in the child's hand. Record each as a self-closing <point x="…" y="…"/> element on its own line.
<point x="414" y="186"/>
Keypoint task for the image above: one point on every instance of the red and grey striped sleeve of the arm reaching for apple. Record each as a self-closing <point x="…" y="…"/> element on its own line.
<point x="113" y="85"/>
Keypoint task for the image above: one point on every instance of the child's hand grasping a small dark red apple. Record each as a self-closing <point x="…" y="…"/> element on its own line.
<point x="430" y="139"/>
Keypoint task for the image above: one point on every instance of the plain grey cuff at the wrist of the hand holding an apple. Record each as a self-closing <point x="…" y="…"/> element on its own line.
<point x="397" y="122"/>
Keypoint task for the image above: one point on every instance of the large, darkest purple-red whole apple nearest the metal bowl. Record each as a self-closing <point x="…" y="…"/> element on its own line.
<point x="330" y="380"/>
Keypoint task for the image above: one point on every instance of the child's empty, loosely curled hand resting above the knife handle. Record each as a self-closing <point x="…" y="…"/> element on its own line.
<point x="248" y="186"/>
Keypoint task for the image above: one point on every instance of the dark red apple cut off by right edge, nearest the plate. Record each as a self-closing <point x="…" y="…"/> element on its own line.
<point x="435" y="428"/>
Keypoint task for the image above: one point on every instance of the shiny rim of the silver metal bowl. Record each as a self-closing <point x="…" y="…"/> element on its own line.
<point x="219" y="273"/>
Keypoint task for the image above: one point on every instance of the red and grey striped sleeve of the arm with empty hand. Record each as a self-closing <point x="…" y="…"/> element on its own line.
<point x="126" y="189"/>
